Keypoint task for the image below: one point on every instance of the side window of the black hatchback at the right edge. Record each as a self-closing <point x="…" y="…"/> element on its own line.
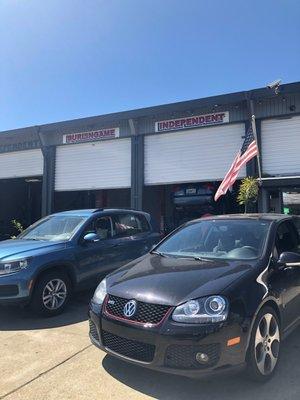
<point x="287" y="238"/>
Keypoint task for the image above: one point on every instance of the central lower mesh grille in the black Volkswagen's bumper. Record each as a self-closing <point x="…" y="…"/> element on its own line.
<point x="129" y="348"/>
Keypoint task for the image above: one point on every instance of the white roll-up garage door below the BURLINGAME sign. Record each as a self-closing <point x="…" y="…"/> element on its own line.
<point x="100" y="165"/>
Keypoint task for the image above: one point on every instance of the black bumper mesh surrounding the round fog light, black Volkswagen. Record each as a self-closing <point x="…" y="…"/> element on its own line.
<point x="184" y="356"/>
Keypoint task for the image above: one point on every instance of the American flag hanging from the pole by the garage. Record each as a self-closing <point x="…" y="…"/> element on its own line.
<point x="249" y="150"/>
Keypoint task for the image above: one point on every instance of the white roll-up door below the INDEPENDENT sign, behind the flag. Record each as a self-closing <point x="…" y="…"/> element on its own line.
<point x="194" y="155"/>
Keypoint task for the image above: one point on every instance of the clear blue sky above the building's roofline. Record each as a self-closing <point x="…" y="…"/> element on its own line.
<point x="65" y="59"/>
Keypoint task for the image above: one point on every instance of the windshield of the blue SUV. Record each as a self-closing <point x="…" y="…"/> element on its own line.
<point x="54" y="228"/>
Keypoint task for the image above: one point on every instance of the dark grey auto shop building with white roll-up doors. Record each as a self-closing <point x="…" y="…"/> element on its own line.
<point x="167" y="160"/>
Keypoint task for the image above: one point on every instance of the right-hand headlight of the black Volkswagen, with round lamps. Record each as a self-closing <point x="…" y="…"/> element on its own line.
<point x="202" y="311"/>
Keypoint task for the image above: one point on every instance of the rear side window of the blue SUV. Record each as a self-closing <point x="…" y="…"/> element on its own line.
<point x="130" y="224"/>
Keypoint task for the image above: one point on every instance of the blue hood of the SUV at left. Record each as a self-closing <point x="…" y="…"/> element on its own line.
<point x="17" y="248"/>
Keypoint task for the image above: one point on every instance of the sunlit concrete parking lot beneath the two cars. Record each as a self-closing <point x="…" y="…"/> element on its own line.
<point x="45" y="359"/>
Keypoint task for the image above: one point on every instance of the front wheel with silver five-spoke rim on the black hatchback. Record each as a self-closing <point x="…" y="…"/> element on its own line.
<point x="264" y="348"/>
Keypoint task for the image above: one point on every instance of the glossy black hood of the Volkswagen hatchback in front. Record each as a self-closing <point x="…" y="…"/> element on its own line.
<point x="172" y="281"/>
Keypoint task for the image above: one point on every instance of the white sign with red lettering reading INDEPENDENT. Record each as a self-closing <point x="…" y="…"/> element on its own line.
<point x="192" y="122"/>
